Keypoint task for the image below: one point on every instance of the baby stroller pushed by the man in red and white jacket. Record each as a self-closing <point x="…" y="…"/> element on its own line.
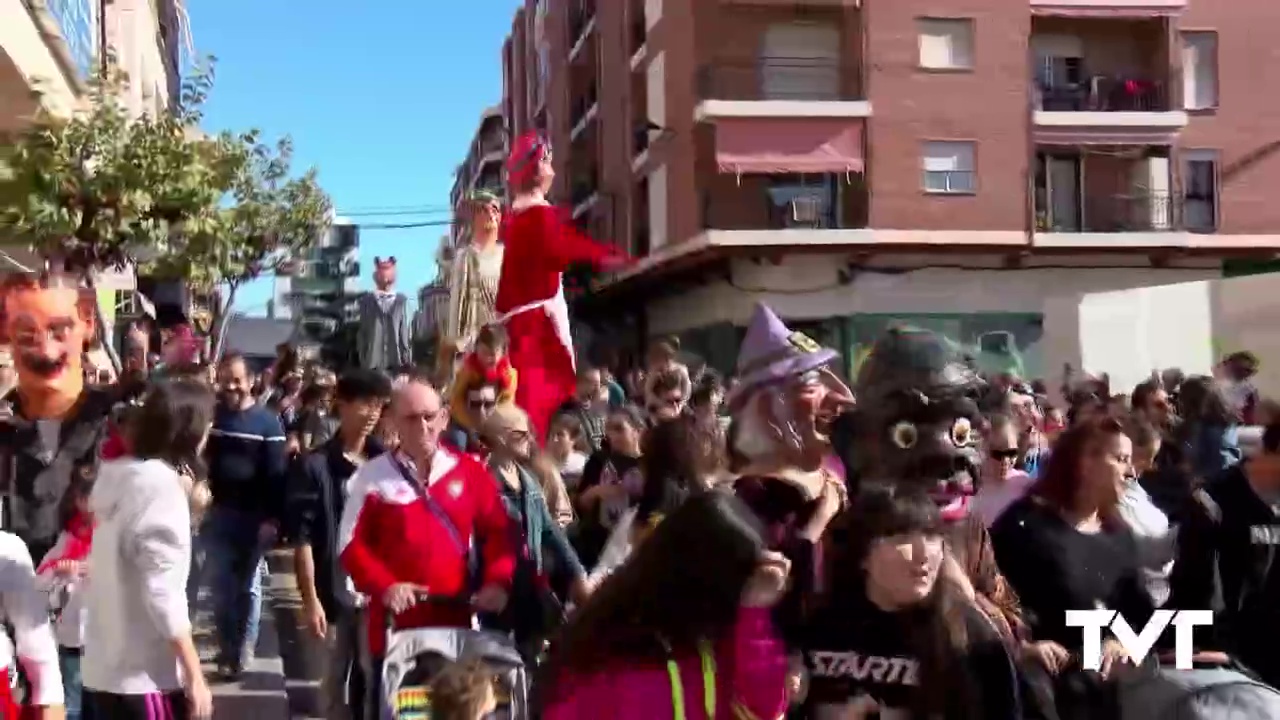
<point x="415" y="658"/>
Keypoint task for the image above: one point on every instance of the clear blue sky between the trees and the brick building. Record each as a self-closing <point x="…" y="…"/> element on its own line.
<point x="382" y="97"/>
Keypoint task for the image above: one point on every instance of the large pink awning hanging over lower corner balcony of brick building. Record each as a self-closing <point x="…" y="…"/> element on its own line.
<point x="789" y="145"/>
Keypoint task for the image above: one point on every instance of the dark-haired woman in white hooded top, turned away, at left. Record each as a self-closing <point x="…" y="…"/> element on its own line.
<point x="140" y="659"/>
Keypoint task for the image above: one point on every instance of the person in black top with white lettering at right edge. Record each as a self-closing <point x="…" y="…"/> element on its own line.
<point x="1227" y="562"/>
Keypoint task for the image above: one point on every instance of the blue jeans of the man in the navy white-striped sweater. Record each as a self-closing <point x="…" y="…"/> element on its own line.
<point x="234" y="558"/>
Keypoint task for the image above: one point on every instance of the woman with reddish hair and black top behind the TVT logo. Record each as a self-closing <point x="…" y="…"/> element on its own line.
<point x="1063" y="548"/>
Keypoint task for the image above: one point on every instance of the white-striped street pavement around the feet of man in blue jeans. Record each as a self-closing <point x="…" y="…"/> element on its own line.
<point x="266" y="692"/>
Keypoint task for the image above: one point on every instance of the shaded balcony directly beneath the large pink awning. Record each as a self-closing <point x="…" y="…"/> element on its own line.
<point x="785" y="203"/>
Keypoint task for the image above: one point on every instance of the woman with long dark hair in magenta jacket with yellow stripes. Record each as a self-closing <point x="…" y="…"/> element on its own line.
<point x="682" y="631"/>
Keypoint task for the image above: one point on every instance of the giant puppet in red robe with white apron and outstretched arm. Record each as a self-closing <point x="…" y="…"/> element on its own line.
<point x="541" y="245"/>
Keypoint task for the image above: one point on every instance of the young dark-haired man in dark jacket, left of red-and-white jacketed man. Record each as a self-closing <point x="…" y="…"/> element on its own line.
<point x="316" y="504"/>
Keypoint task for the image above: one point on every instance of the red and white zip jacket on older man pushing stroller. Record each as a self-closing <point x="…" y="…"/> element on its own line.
<point x="388" y="535"/>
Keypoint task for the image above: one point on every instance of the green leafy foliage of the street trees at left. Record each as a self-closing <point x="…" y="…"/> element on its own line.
<point x="104" y="189"/>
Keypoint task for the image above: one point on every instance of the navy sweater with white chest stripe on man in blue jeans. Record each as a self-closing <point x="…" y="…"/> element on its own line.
<point x="246" y="462"/>
